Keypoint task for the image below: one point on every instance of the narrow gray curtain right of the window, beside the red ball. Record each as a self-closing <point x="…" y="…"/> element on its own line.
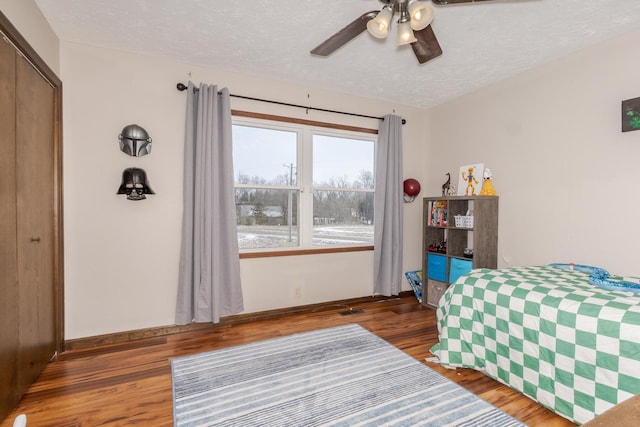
<point x="388" y="202"/>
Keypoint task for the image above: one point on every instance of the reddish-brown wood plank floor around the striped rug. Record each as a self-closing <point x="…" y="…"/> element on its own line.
<point x="130" y="383"/>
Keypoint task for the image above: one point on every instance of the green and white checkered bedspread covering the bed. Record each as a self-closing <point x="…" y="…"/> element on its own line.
<point x="546" y="332"/>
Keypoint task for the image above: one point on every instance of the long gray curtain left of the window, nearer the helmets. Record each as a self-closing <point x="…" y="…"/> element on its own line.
<point x="209" y="281"/>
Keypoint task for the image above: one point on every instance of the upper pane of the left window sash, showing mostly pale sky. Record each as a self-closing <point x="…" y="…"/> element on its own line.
<point x="264" y="156"/>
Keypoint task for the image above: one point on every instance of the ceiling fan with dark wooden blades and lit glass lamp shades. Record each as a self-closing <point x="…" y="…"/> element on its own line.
<point x="414" y="27"/>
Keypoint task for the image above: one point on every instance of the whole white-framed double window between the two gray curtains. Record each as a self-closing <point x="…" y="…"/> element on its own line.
<point x="299" y="186"/>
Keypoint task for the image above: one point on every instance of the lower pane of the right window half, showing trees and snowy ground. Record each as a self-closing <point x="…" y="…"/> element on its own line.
<point x="342" y="218"/>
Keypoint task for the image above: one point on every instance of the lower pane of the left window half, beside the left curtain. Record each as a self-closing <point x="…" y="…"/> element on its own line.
<point x="267" y="218"/>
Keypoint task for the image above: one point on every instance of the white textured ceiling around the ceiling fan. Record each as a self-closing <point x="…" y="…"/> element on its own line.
<point x="482" y="42"/>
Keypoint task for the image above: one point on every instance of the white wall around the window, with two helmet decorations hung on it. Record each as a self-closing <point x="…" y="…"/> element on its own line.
<point x="121" y="257"/>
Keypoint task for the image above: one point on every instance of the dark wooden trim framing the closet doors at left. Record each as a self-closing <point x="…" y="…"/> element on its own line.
<point x="26" y="50"/>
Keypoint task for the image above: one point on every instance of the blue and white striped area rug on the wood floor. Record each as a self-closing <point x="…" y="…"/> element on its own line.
<point x="342" y="376"/>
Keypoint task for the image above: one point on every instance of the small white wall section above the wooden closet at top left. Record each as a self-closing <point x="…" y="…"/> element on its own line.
<point x="31" y="23"/>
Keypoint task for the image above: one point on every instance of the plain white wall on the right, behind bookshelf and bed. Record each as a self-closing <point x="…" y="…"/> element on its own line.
<point x="566" y="175"/>
